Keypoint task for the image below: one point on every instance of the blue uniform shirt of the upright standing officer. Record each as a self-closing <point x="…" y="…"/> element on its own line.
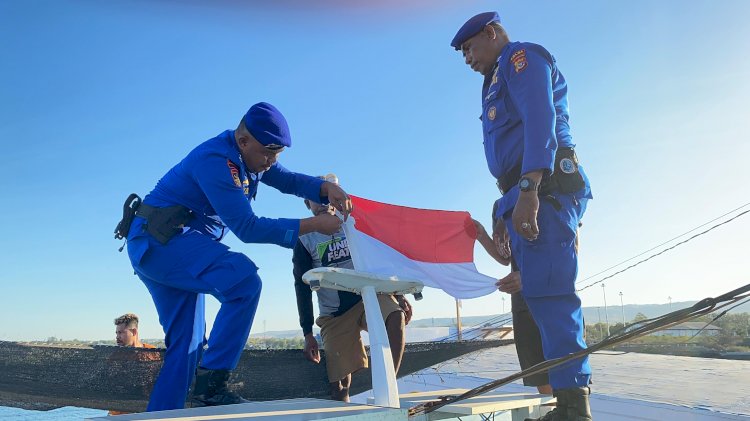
<point x="524" y="110"/>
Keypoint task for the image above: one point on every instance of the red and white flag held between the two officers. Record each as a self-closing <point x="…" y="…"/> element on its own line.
<point x="432" y="246"/>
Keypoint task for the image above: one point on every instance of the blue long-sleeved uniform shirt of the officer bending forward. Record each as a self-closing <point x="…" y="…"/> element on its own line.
<point x="214" y="183"/>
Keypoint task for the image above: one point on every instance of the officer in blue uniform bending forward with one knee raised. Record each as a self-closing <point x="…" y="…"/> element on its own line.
<point x="174" y="246"/>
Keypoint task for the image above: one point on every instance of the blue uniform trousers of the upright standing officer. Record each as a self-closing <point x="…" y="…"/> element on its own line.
<point x="549" y="266"/>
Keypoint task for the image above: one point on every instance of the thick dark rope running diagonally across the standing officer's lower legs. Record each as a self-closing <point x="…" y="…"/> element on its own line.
<point x="700" y="308"/>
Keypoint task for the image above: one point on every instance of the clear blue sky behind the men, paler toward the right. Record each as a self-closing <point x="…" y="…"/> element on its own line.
<point x="99" y="99"/>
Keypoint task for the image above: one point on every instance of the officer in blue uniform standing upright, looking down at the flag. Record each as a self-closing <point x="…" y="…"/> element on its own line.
<point x="529" y="151"/>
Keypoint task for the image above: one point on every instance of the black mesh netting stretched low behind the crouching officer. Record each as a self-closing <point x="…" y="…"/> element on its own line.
<point x="117" y="378"/>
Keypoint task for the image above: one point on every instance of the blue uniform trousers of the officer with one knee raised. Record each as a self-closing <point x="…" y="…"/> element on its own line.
<point x="178" y="275"/>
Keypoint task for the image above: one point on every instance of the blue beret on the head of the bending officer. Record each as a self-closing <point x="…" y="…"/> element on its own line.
<point x="268" y="126"/>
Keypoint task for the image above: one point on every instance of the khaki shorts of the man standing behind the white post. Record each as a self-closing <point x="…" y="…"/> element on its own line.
<point x="342" y="343"/>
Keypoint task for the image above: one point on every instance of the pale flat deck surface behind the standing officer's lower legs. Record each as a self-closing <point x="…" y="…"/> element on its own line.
<point x="626" y="386"/>
